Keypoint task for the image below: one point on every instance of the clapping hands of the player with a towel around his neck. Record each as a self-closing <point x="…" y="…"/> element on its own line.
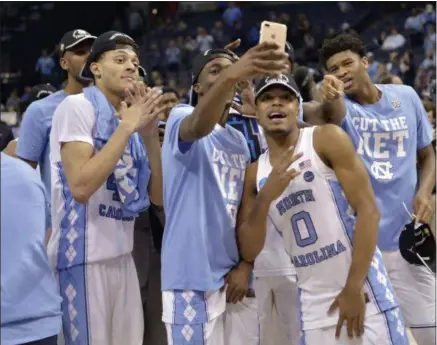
<point x="143" y="110"/>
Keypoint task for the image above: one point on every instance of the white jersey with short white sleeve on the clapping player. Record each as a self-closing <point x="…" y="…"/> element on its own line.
<point x="91" y="232"/>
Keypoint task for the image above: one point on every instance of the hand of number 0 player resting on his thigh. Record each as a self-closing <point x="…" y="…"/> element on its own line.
<point x="352" y="309"/>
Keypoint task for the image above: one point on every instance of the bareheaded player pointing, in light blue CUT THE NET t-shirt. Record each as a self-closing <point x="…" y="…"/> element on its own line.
<point x="392" y="134"/>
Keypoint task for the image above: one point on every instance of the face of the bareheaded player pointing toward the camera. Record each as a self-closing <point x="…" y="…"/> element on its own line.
<point x="350" y="68"/>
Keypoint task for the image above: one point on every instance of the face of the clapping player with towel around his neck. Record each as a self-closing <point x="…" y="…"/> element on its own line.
<point x="117" y="70"/>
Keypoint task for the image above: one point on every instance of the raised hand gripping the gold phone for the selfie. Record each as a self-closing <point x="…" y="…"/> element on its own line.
<point x="263" y="59"/>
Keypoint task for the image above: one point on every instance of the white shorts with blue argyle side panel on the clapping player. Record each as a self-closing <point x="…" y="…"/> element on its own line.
<point x="102" y="303"/>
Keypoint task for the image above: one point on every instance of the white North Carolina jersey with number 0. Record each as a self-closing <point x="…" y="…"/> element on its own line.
<point x="317" y="225"/>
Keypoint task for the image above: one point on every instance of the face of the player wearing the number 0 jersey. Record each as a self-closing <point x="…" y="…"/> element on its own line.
<point x="277" y="109"/>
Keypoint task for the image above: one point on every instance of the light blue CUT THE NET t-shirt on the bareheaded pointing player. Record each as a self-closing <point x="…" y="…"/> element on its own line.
<point x="387" y="136"/>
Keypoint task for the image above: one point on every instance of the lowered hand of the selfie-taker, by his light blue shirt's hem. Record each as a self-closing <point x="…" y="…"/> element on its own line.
<point x="237" y="281"/>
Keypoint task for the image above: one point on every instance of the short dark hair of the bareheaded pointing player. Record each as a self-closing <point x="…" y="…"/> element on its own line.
<point x="341" y="43"/>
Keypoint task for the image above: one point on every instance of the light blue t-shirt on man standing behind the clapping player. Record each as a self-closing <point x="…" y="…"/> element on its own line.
<point x="33" y="144"/>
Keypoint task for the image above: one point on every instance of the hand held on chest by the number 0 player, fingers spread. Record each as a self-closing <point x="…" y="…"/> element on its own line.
<point x="281" y="176"/>
